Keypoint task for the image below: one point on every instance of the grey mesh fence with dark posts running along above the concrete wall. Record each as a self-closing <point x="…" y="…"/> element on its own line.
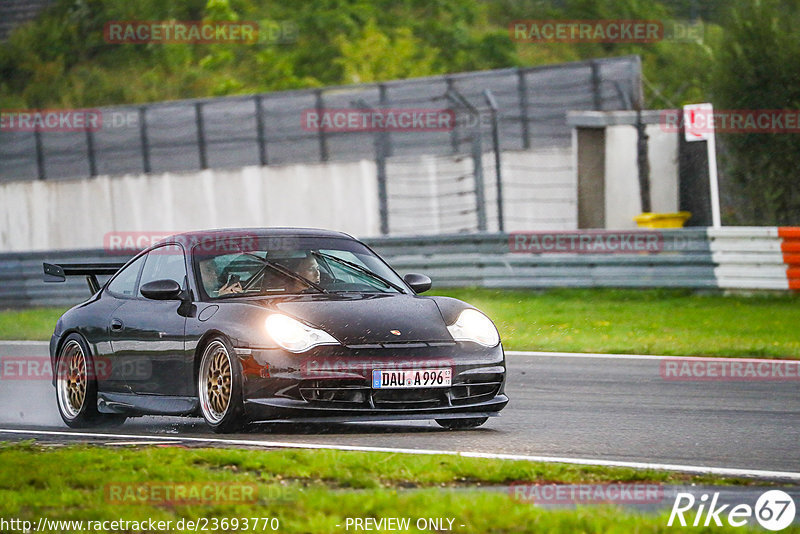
<point x="266" y="129"/>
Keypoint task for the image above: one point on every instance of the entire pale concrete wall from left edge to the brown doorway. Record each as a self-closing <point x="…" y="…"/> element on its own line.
<point x="426" y="194"/>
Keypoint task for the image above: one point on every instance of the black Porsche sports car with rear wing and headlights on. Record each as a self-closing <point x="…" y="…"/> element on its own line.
<point x="270" y="325"/>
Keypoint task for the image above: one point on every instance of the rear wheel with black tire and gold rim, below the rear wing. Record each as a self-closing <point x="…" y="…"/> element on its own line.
<point x="76" y="387"/>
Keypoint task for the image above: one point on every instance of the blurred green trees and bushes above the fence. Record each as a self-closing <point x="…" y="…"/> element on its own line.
<point x="62" y="59"/>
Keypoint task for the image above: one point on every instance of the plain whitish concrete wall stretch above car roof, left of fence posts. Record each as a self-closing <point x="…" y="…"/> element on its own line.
<point x="42" y="215"/>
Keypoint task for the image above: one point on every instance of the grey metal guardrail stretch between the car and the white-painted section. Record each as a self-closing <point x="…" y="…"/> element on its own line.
<point x="487" y="260"/>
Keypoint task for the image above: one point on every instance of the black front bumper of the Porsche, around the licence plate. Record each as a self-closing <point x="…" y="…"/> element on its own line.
<point x="334" y="383"/>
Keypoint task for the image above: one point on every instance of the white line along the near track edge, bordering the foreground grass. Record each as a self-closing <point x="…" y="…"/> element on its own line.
<point x="721" y="471"/>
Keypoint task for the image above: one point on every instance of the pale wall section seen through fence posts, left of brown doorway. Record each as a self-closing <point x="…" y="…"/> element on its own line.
<point x="435" y="194"/>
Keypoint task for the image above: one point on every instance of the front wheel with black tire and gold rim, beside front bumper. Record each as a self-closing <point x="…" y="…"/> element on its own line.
<point x="219" y="387"/>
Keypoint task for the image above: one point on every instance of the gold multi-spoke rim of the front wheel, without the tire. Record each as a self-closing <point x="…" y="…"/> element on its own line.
<point x="215" y="382"/>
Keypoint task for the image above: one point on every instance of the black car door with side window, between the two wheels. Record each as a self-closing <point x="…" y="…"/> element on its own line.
<point x="148" y="335"/>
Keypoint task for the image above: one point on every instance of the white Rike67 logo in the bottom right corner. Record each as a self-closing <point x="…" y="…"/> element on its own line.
<point x="774" y="510"/>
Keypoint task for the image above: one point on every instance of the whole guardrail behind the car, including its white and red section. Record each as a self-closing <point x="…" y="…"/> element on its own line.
<point x="748" y="258"/>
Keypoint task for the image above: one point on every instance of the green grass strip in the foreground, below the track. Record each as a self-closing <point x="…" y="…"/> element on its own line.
<point x="312" y="491"/>
